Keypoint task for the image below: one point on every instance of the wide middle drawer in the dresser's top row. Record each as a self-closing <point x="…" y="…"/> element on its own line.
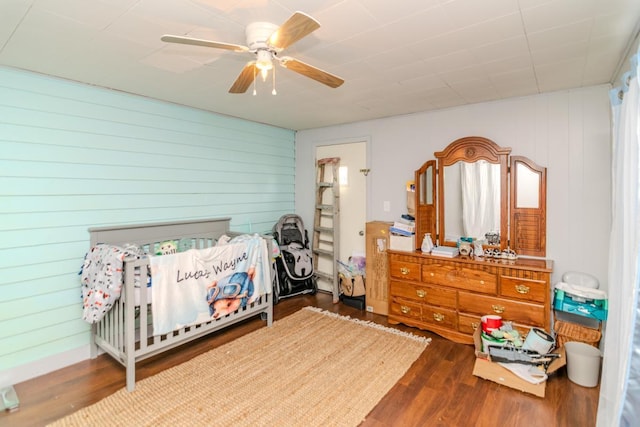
<point x="460" y="277"/>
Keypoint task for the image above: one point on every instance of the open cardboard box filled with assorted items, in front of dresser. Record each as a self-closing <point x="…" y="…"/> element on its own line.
<point x="506" y="356"/>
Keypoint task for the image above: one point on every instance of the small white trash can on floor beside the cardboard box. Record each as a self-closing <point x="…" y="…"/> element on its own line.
<point x="583" y="363"/>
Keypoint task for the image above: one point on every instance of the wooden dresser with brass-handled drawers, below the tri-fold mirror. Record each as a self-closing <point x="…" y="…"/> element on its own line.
<point x="448" y="296"/>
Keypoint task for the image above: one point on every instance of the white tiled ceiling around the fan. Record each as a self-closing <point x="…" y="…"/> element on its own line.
<point x="396" y="57"/>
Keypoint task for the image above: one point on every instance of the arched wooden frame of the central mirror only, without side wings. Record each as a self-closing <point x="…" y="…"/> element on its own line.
<point x="471" y="149"/>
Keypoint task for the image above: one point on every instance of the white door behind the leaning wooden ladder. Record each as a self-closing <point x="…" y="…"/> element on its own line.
<point x="353" y="198"/>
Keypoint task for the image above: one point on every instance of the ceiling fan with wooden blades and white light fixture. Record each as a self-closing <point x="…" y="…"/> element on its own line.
<point x="266" y="41"/>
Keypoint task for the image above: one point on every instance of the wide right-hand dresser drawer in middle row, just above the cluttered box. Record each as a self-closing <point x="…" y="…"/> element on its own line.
<point x="515" y="311"/>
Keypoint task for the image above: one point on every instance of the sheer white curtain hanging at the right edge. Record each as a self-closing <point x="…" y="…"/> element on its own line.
<point x="620" y="388"/>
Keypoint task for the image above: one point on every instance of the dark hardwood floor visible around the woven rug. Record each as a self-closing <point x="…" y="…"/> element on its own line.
<point x="438" y="390"/>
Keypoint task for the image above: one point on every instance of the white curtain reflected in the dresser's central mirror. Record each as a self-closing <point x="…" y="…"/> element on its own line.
<point x="480" y="198"/>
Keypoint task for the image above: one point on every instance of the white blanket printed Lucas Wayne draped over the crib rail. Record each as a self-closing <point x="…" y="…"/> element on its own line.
<point x="199" y="285"/>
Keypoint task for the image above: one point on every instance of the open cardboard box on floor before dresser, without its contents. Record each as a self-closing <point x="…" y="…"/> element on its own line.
<point x="488" y="370"/>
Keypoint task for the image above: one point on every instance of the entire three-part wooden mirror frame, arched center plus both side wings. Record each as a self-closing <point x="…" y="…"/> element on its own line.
<point x="521" y="229"/>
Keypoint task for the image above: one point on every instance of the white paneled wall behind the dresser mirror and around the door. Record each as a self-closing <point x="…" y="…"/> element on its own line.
<point x="568" y="132"/>
